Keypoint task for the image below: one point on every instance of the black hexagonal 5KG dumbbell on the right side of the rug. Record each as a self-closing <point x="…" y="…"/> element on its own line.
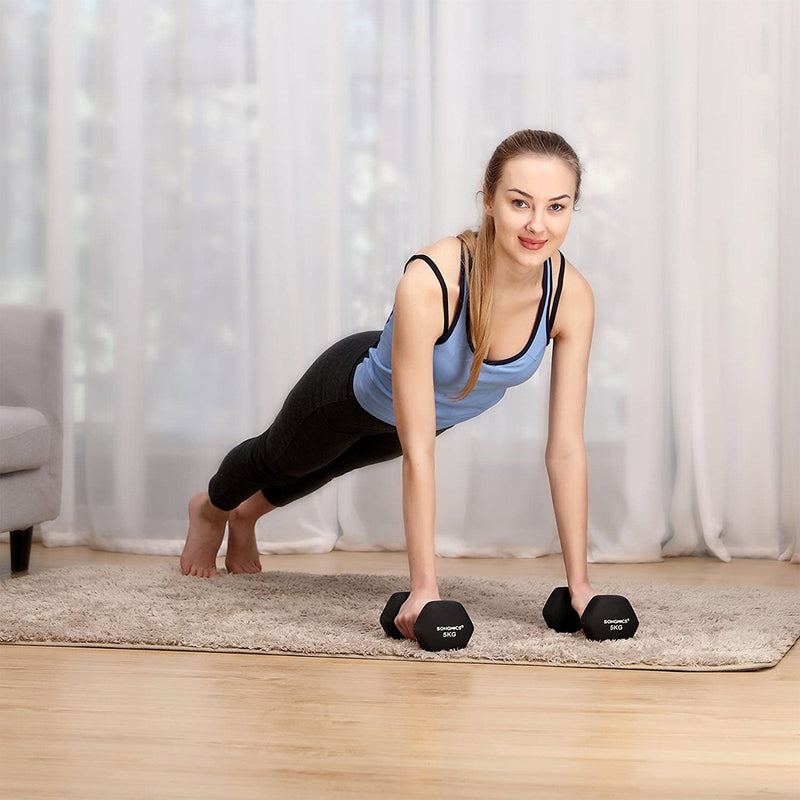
<point x="606" y="616"/>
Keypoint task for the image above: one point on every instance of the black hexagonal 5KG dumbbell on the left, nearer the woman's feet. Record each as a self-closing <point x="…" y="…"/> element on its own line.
<point x="441" y="625"/>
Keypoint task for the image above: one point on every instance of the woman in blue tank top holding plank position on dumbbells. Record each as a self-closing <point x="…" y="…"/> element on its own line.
<point x="460" y="333"/>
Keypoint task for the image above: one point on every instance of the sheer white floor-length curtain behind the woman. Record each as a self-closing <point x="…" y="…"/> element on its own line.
<point x="216" y="191"/>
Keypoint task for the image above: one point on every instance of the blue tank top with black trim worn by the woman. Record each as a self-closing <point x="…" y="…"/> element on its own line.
<point x="452" y="357"/>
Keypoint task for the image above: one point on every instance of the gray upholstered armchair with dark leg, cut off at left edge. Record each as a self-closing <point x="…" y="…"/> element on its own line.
<point x="31" y="418"/>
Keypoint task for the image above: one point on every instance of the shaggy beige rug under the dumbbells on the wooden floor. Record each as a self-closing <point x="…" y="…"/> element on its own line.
<point x="689" y="628"/>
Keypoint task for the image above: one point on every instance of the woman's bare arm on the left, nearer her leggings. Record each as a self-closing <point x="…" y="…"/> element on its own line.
<point x="417" y="326"/>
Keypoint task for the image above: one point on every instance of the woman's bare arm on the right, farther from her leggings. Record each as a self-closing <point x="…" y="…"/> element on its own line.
<point x="565" y="455"/>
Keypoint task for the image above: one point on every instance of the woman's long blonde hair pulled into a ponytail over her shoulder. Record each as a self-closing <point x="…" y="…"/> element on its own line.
<point x="480" y="243"/>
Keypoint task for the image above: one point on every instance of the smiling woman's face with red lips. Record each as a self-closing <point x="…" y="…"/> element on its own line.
<point x="532" y="203"/>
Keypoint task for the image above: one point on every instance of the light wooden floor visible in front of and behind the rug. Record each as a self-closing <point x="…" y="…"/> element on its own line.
<point x="98" y="723"/>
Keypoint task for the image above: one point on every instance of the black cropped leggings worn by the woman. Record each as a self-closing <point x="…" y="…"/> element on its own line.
<point x="321" y="432"/>
